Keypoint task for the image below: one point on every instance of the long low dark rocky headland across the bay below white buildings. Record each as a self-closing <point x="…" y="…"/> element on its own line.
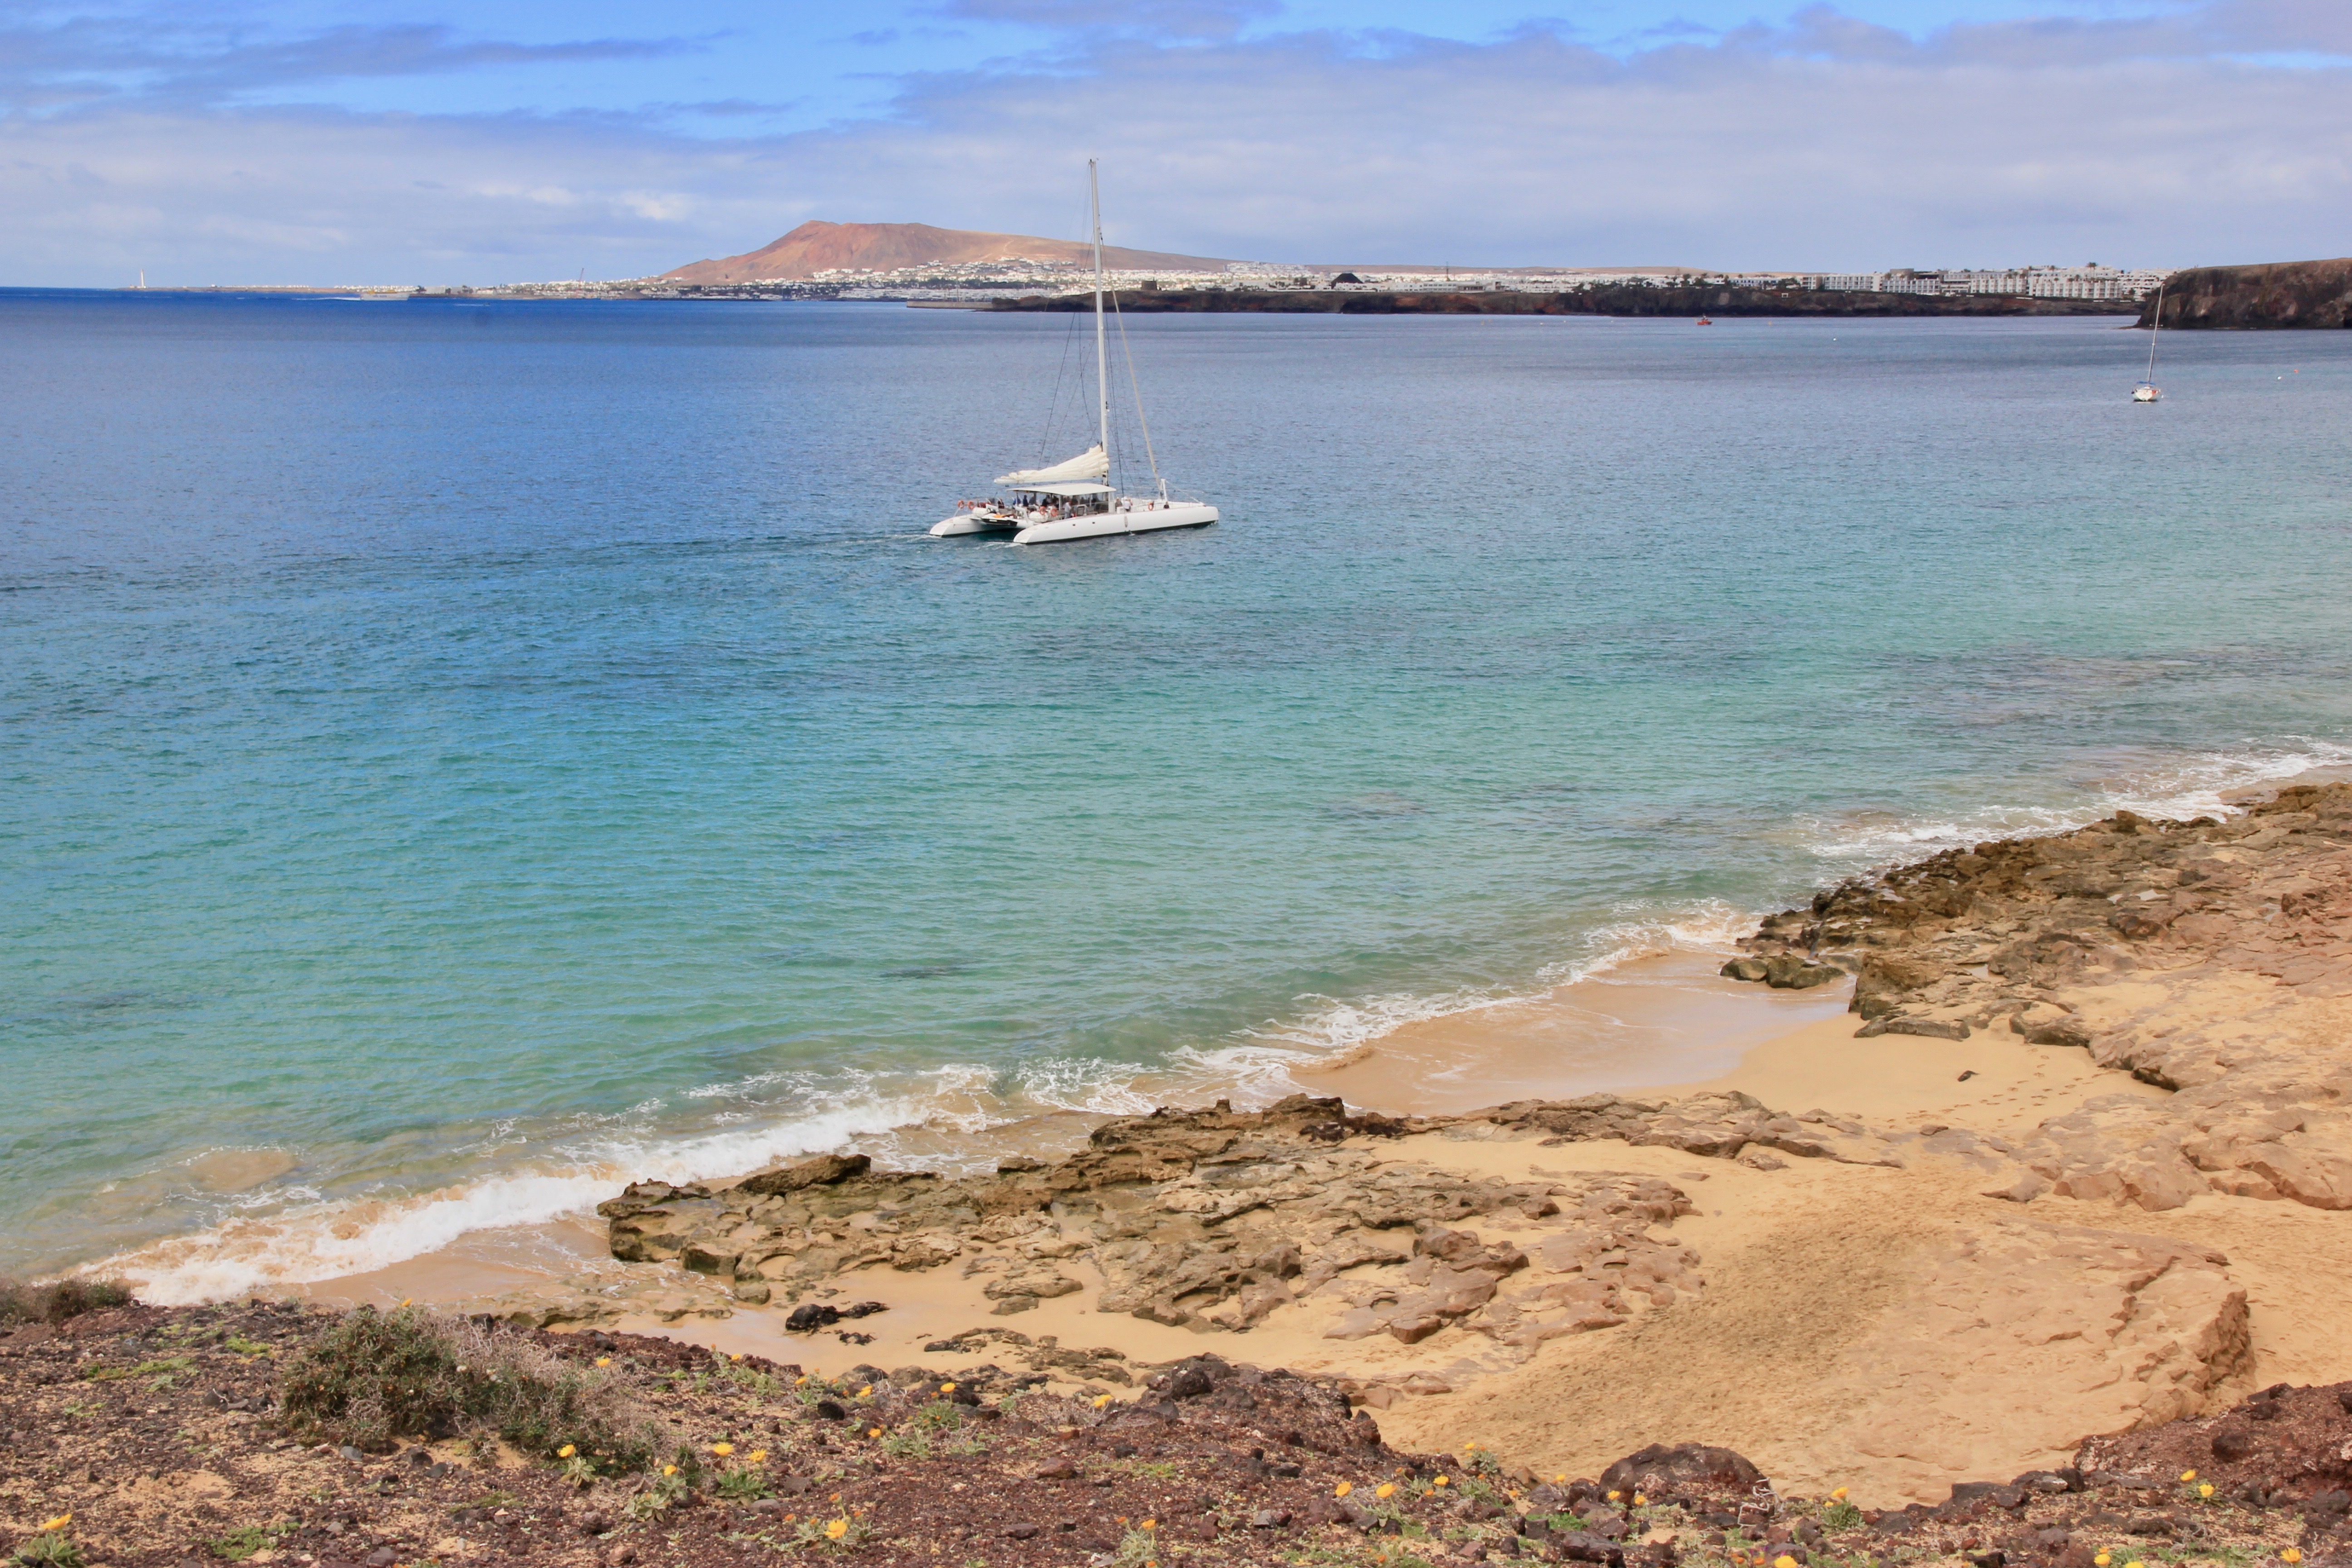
<point x="1619" y="300"/>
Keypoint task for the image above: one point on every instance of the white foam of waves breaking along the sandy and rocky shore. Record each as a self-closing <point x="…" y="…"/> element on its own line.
<point x="305" y="1238"/>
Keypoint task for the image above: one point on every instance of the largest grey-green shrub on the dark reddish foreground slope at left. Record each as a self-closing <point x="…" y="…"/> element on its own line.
<point x="382" y="1376"/>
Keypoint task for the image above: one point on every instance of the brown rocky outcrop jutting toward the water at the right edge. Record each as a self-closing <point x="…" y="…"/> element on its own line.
<point x="2203" y="958"/>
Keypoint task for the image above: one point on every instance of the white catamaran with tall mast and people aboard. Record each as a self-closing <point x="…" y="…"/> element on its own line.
<point x="1076" y="500"/>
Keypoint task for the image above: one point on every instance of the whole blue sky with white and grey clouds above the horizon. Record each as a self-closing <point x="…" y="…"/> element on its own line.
<point x="415" y="142"/>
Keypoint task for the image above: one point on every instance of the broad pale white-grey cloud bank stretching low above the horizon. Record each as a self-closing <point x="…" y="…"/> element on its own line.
<point x="1819" y="142"/>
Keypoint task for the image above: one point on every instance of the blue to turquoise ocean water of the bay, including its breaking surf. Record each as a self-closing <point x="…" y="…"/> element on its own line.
<point x="453" y="756"/>
